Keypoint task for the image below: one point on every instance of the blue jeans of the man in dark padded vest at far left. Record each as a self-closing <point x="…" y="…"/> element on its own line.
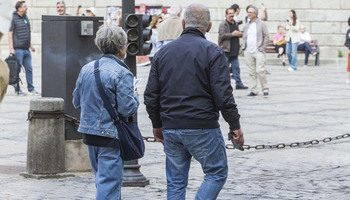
<point x="25" y="59"/>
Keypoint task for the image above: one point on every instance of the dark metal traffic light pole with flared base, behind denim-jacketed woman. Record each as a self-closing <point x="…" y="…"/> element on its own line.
<point x="132" y="175"/>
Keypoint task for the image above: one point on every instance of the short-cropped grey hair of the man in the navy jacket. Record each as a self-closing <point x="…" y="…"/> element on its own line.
<point x="197" y="16"/>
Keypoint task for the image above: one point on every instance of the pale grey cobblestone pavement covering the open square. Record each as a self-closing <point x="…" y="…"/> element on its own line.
<point x="311" y="103"/>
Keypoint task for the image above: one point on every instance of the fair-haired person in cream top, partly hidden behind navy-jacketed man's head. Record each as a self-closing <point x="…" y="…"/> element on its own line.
<point x="171" y="28"/>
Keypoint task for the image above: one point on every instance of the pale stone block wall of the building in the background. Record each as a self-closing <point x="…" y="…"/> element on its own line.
<point x="325" y="20"/>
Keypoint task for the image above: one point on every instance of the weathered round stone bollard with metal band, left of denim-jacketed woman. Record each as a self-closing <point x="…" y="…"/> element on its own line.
<point x="46" y="142"/>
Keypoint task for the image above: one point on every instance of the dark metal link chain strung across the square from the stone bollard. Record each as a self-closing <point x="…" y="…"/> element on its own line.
<point x="249" y="147"/>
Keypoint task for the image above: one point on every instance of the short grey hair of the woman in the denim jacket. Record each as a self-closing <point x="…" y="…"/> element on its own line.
<point x="110" y="39"/>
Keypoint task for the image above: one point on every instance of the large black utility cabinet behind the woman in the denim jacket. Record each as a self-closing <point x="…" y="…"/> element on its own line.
<point x="67" y="45"/>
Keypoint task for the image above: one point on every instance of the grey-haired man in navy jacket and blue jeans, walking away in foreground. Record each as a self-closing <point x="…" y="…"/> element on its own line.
<point x="184" y="108"/>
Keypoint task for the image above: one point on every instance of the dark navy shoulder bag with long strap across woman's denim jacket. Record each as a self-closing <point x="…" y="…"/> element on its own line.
<point x="130" y="139"/>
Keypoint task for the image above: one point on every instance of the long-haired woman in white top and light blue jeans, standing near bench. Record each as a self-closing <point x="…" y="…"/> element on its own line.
<point x="292" y="39"/>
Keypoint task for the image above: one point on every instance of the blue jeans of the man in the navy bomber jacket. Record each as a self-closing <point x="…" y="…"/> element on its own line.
<point x="207" y="146"/>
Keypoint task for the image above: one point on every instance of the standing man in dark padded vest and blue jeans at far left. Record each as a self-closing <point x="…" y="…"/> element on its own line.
<point x="20" y="43"/>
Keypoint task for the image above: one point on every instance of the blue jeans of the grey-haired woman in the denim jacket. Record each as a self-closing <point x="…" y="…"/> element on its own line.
<point x="108" y="168"/>
